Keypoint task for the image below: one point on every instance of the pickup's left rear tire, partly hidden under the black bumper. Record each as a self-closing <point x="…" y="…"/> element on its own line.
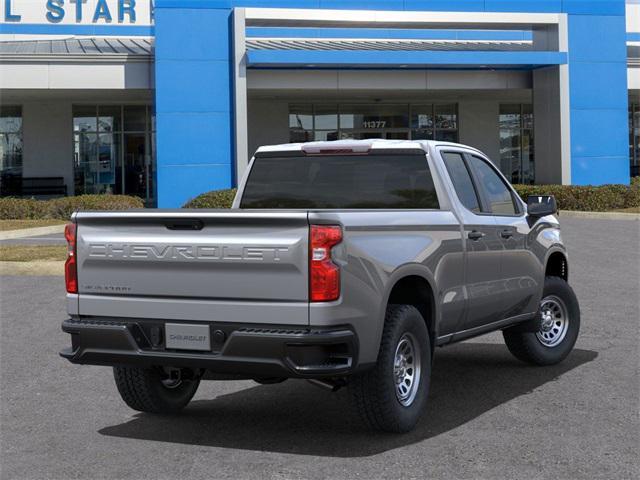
<point x="145" y="390"/>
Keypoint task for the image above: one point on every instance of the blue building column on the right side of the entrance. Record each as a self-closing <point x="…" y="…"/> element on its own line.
<point x="599" y="105"/>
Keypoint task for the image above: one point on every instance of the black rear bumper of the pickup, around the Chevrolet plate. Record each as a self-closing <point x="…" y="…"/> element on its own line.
<point x="238" y="349"/>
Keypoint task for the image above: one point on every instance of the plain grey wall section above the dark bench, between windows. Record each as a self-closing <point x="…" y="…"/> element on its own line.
<point x="48" y="141"/>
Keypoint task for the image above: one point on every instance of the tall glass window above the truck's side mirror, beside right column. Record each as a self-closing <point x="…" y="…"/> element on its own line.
<point x="516" y="142"/>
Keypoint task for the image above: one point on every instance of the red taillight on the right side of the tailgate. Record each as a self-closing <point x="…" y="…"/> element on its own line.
<point x="324" y="275"/>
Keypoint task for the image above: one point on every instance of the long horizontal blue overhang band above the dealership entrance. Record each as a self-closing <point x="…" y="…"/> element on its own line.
<point x="403" y="59"/>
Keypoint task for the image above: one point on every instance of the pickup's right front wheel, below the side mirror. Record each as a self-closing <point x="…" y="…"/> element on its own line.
<point x="558" y="331"/>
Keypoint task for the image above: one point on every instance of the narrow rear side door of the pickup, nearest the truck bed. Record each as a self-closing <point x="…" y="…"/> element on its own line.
<point x="483" y="246"/>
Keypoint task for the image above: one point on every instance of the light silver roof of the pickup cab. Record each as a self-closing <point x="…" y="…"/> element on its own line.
<point x="356" y="145"/>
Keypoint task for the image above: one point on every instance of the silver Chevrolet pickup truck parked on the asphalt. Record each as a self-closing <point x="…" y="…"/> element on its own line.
<point x="343" y="263"/>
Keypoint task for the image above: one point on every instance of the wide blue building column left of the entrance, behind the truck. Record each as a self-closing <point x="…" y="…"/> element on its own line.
<point x="194" y="100"/>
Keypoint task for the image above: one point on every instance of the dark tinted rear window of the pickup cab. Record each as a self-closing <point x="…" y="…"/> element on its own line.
<point x="350" y="181"/>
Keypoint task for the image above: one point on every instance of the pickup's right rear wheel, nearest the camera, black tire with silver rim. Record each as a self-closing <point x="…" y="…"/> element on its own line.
<point x="376" y="395"/>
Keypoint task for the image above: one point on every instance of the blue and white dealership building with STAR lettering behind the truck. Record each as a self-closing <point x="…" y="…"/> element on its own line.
<point x="167" y="99"/>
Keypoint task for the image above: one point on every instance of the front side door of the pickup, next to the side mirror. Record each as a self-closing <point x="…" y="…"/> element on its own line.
<point x="519" y="268"/>
